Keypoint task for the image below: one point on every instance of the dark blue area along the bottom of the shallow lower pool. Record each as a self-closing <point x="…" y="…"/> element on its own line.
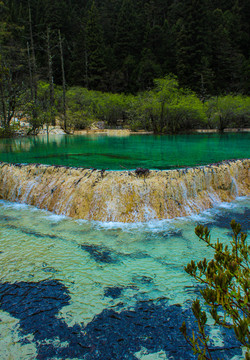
<point x="110" y="335"/>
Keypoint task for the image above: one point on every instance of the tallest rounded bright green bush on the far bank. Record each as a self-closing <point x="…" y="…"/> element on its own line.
<point x="168" y="108"/>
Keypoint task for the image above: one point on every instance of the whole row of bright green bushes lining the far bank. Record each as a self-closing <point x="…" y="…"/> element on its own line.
<point x="166" y="108"/>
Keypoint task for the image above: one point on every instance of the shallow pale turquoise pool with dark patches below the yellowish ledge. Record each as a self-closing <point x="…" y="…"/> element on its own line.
<point x="90" y="290"/>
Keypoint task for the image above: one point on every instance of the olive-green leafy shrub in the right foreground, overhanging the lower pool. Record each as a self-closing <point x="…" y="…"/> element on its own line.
<point x="226" y="280"/>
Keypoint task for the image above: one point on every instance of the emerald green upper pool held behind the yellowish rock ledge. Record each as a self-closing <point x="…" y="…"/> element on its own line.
<point x="116" y="152"/>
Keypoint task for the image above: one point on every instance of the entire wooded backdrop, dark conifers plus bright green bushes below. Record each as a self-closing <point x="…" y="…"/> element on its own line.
<point x="160" y="65"/>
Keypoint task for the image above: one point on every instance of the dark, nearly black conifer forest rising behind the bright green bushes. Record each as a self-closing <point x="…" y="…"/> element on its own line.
<point x="122" y="45"/>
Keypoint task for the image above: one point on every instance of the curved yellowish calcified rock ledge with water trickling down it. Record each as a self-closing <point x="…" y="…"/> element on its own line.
<point x="122" y="195"/>
